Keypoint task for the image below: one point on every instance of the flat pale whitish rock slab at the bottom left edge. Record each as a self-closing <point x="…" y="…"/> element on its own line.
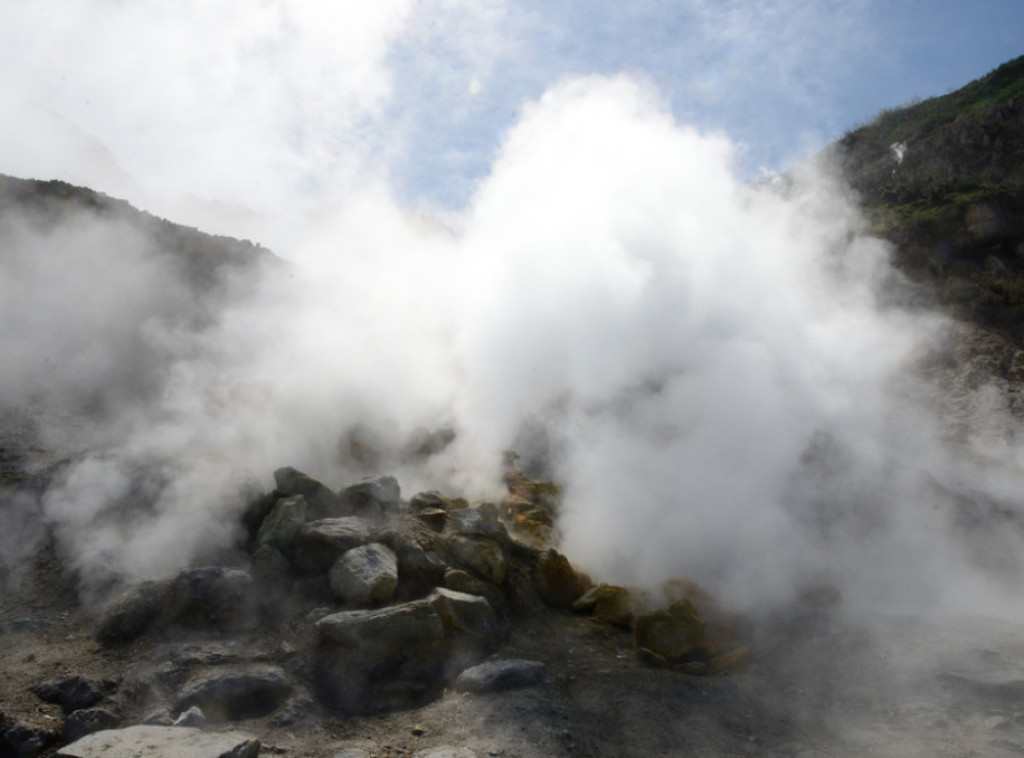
<point x="163" y="742"/>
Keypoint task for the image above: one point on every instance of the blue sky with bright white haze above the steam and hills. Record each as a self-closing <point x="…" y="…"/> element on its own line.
<point x="267" y="104"/>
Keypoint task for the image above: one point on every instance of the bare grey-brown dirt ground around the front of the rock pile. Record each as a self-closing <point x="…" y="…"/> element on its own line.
<point x="818" y="687"/>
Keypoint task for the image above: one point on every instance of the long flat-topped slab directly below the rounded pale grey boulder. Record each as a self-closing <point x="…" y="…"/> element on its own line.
<point x="411" y="622"/>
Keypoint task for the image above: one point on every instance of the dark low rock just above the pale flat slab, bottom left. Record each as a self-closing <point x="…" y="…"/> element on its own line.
<point x="246" y="693"/>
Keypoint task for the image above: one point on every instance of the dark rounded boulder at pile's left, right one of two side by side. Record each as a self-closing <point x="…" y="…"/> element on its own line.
<point x="211" y="598"/>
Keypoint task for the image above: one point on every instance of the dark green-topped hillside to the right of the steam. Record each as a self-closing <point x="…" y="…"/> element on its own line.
<point x="945" y="181"/>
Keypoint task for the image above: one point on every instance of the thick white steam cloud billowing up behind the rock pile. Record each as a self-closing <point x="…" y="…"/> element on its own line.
<point x="716" y="371"/>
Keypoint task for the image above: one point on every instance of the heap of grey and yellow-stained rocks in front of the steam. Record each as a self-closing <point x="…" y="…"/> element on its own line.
<point x="360" y="602"/>
